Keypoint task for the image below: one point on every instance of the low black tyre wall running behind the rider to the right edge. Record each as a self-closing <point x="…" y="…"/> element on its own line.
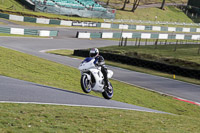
<point x="146" y="64"/>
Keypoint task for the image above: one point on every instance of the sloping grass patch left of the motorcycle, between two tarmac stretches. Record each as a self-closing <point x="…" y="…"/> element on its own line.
<point x="41" y="71"/>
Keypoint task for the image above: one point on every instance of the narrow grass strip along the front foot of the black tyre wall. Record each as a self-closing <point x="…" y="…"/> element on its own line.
<point x="129" y="67"/>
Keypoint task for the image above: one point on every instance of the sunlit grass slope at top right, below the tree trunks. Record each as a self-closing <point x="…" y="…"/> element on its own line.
<point x="170" y="14"/>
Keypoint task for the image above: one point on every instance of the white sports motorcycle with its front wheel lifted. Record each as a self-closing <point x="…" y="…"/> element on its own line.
<point x="92" y="78"/>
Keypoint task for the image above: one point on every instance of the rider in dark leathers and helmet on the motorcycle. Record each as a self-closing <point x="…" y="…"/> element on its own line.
<point x="99" y="61"/>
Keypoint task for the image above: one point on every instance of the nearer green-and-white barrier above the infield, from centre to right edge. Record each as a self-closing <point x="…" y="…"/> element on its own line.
<point x="137" y="35"/>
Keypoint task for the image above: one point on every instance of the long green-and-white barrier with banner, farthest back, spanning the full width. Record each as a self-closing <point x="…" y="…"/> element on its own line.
<point x="100" y="25"/>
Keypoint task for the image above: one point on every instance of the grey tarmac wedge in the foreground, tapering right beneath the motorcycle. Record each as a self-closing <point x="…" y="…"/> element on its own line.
<point x="27" y="92"/>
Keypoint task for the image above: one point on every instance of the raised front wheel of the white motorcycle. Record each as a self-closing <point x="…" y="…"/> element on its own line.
<point x="86" y="84"/>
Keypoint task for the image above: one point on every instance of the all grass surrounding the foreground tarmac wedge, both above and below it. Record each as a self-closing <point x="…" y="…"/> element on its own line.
<point x="35" y="118"/>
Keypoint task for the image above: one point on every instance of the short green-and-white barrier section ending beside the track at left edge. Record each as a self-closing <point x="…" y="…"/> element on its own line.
<point x="20" y="31"/>
